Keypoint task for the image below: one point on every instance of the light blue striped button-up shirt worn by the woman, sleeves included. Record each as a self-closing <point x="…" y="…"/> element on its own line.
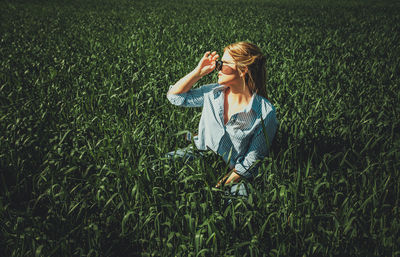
<point x="242" y="140"/>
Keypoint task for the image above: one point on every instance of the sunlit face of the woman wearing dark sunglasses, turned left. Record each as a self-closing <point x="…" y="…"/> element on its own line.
<point x="229" y="74"/>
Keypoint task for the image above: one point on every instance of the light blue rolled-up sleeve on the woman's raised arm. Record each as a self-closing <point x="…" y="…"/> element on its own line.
<point x="192" y="98"/>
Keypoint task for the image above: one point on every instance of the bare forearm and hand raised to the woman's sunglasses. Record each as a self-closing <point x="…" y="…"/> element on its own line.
<point x="205" y="66"/>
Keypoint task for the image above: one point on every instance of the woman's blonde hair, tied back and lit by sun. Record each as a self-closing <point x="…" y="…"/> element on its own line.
<point x="249" y="55"/>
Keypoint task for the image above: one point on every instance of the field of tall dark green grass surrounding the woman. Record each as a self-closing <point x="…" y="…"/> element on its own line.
<point x="85" y="122"/>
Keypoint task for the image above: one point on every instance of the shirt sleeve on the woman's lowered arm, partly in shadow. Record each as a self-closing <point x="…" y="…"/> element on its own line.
<point x="246" y="165"/>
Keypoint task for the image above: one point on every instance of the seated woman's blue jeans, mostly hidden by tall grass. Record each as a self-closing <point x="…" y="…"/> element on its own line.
<point x="189" y="154"/>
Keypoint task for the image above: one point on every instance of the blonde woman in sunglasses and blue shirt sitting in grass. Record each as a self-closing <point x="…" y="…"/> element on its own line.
<point x="234" y="109"/>
